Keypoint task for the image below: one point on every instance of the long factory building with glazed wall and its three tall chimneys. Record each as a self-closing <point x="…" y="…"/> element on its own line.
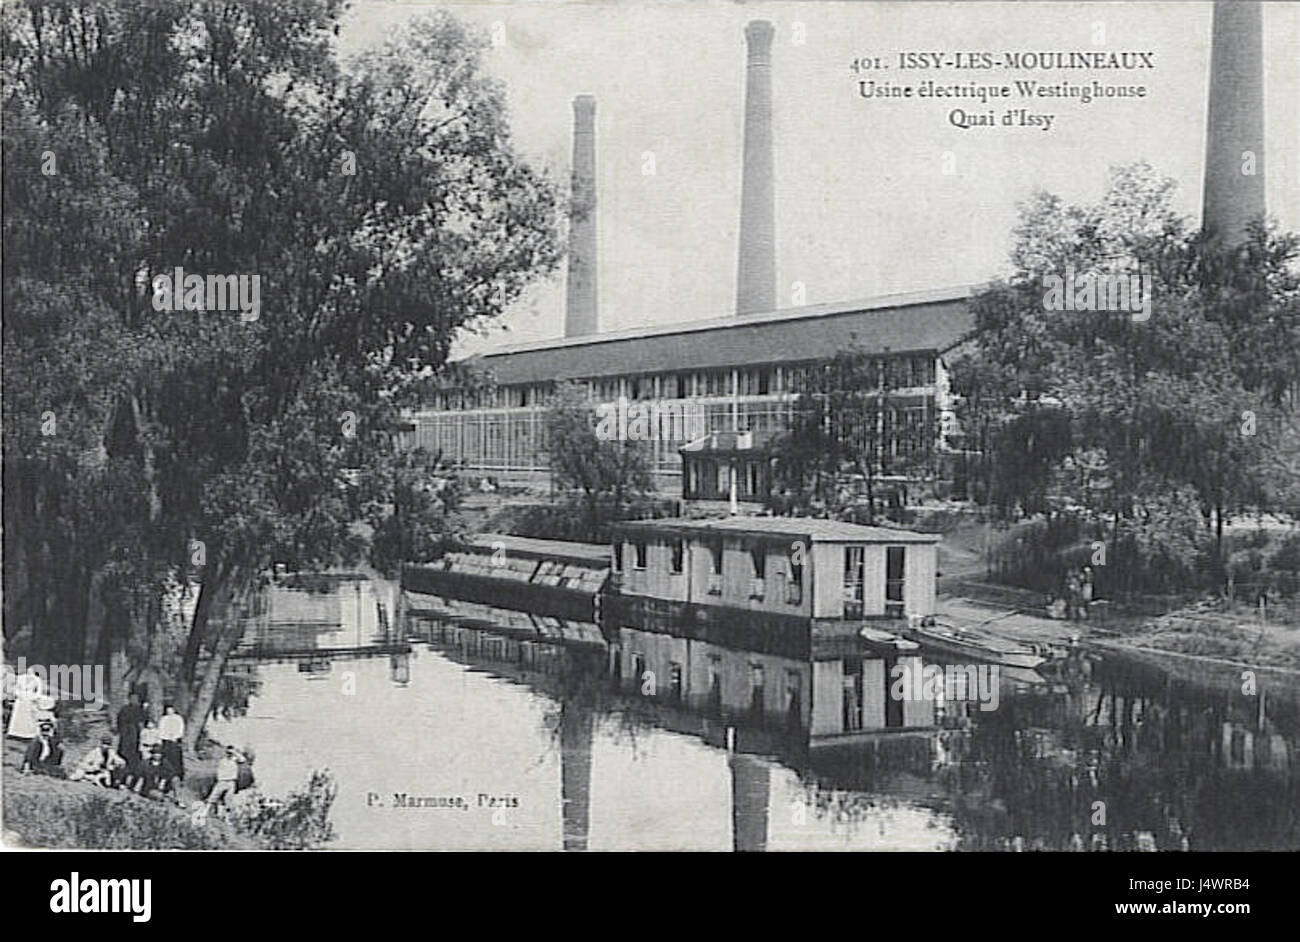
<point x="742" y="374"/>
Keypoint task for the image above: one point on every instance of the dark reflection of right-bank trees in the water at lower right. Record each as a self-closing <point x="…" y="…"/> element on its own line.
<point x="1154" y="766"/>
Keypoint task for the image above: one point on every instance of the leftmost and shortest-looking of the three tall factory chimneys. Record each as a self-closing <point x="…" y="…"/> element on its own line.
<point x="580" y="288"/>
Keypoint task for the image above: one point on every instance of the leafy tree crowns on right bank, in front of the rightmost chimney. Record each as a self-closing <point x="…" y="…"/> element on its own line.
<point x="1151" y="424"/>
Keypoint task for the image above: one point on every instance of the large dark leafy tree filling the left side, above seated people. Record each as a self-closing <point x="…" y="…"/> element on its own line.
<point x="380" y="202"/>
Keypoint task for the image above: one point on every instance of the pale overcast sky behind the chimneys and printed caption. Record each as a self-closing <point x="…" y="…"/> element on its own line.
<point x="864" y="206"/>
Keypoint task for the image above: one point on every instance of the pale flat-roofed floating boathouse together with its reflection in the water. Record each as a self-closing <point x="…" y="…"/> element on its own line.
<point x="773" y="619"/>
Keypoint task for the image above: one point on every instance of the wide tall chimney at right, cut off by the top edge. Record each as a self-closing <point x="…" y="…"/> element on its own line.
<point x="1234" y="127"/>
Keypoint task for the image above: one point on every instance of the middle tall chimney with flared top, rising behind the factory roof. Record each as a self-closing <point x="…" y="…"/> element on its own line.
<point x="756" y="272"/>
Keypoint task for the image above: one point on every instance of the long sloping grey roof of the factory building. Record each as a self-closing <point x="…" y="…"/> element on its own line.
<point x="912" y="323"/>
